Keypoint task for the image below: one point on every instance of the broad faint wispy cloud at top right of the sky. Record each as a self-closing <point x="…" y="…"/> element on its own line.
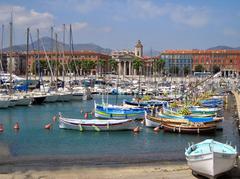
<point x="187" y="15"/>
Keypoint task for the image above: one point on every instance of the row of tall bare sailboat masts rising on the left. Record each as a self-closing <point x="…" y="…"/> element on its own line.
<point x="10" y="64"/>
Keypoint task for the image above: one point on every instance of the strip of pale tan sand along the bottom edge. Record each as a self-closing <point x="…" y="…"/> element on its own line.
<point x="139" y="171"/>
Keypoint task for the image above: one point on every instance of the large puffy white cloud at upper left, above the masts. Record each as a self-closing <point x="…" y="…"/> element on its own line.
<point x="23" y="18"/>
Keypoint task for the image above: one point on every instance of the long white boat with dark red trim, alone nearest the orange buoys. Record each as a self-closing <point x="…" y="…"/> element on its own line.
<point x="97" y="124"/>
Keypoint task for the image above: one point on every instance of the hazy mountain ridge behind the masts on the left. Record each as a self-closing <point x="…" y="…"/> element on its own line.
<point x="48" y="44"/>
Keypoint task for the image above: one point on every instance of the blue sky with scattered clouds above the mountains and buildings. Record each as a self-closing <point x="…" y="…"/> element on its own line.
<point x="118" y="24"/>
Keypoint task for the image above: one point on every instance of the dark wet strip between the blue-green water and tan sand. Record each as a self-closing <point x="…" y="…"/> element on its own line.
<point x="12" y="164"/>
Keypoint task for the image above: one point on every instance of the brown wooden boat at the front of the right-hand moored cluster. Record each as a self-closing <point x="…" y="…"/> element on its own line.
<point x="191" y="128"/>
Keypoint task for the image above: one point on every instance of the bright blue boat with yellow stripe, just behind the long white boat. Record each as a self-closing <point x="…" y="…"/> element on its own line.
<point x="118" y="112"/>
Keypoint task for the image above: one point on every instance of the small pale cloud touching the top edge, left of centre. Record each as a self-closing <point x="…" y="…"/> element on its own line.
<point x="85" y="6"/>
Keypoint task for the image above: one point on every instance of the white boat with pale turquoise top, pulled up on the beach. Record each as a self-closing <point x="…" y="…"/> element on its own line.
<point x="210" y="158"/>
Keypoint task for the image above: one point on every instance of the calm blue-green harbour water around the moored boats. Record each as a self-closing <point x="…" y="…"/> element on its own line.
<point x="33" y="140"/>
